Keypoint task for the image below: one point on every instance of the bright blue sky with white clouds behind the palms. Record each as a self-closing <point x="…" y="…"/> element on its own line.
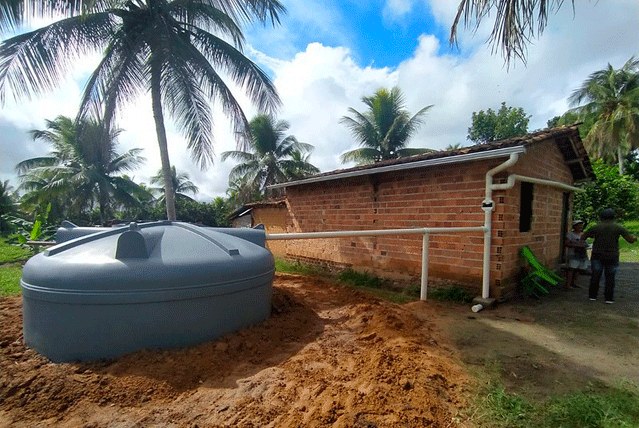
<point x="327" y="55"/>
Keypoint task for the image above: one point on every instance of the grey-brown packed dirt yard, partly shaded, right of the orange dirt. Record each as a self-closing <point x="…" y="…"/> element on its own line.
<point x="557" y="344"/>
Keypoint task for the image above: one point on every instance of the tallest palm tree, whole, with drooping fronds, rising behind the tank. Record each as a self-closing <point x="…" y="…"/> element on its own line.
<point x="174" y="49"/>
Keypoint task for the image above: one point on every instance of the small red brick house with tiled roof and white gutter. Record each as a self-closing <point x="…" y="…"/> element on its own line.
<point x="519" y="188"/>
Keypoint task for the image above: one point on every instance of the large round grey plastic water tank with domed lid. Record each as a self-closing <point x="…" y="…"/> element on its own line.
<point x="154" y="285"/>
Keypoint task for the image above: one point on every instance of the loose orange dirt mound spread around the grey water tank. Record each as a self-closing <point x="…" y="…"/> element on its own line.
<point x="328" y="356"/>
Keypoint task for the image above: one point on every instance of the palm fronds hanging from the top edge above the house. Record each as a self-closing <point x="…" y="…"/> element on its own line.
<point x="516" y="22"/>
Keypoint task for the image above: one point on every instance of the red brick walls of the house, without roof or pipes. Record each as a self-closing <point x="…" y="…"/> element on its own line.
<point x="440" y="196"/>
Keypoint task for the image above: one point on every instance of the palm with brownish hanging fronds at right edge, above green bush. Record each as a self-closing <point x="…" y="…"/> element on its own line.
<point x="612" y="106"/>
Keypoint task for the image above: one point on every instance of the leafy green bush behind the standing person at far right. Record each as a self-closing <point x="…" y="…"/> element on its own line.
<point x="608" y="190"/>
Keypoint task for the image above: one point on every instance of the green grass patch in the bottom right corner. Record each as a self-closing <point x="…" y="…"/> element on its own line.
<point x="607" y="407"/>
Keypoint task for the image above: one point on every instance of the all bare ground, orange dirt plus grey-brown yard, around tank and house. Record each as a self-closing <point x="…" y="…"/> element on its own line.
<point x="332" y="356"/>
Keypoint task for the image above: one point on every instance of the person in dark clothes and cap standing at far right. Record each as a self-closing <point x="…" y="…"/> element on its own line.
<point x="605" y="253"/>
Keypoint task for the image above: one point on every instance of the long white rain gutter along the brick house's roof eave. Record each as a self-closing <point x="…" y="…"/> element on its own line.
<point x="490" y="154"/>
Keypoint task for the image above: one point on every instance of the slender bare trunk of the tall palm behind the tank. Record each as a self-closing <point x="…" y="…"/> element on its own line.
<point x="156" y="99"/>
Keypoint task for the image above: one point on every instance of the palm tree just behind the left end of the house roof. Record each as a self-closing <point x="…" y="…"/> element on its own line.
<point x="269" y="160"/>
